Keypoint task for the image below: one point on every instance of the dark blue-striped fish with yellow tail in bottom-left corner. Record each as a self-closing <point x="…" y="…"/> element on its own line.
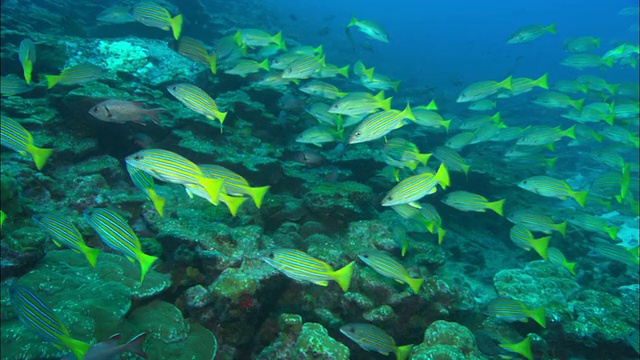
<point x="35" y="315"/>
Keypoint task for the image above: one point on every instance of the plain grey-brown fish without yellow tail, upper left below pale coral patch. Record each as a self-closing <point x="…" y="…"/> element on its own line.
<point x="122" y="111"/>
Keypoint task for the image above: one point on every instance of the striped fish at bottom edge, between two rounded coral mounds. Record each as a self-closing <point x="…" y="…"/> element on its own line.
<point x="372" y="338"/>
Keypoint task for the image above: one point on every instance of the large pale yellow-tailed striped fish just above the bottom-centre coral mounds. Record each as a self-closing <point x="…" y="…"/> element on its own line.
<point x="303" y="267"/>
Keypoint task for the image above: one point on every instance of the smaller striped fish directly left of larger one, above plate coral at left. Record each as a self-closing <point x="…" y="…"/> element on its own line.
<point x="62" y="232"/>
